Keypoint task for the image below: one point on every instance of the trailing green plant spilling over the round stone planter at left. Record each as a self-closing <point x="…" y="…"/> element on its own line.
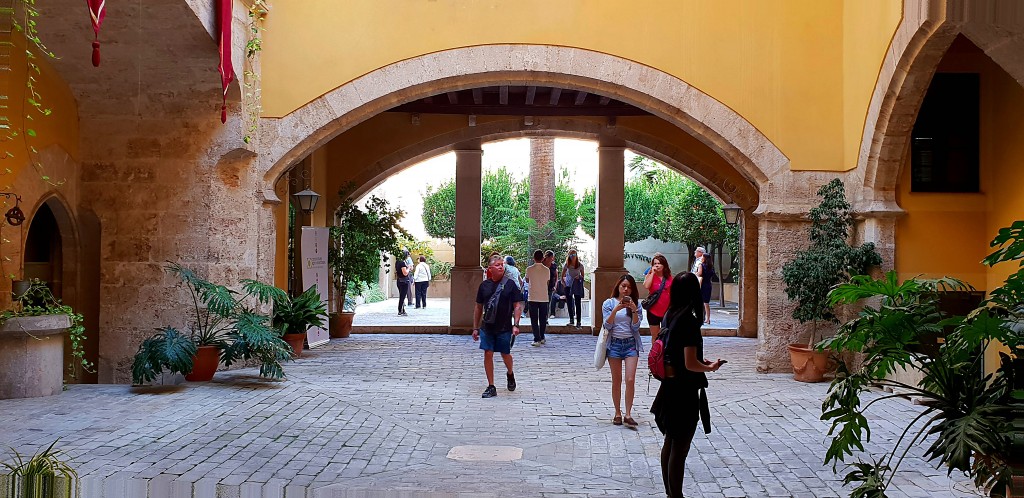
<point x="38" y="301"/>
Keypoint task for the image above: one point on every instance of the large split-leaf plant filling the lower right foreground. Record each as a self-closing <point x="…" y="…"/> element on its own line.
<point x="976" y="424"/>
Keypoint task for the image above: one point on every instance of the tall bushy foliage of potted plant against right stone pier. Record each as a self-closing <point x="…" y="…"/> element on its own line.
<point x="829" y="262"/>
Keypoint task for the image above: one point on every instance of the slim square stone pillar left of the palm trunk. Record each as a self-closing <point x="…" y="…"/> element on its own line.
<point x="467" y="274"/>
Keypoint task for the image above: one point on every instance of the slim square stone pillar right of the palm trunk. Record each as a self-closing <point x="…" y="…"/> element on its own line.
<point x="610" y="226"/>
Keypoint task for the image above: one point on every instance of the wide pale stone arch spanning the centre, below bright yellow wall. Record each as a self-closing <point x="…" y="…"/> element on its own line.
<point x="292" y="138"/>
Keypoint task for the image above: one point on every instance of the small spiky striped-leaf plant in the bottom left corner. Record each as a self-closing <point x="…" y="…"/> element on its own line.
<point x="46" y="475"/>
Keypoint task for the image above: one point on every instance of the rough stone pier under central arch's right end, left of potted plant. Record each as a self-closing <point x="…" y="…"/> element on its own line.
<point x="779" y="238"/>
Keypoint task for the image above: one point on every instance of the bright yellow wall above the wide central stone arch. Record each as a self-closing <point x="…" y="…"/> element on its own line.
<point x="801" y="71"/>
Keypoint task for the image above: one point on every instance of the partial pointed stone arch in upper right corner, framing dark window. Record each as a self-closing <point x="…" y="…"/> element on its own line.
<point x="927" y="31"/>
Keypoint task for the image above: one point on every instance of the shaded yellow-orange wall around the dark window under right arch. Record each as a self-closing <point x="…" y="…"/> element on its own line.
<point x="949" y="234"/>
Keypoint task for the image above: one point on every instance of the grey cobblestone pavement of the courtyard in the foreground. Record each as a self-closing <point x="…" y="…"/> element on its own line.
<point x="377" y="417"/>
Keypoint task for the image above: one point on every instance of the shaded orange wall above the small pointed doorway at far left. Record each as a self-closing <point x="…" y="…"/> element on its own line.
<point x="61" y="128"/>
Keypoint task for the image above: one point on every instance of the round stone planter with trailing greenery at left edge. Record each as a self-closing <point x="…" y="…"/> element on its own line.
<point x="32" y="356"/>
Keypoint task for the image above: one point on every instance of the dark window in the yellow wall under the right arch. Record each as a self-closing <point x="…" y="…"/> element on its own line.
<point x="945" y="147"/>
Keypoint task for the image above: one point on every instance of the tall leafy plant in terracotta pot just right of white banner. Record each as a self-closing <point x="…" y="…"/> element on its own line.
<point x="359" y="241"/>
